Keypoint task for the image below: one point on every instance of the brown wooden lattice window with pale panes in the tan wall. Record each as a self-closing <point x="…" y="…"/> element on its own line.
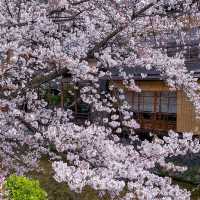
<point x="156" y="110"/>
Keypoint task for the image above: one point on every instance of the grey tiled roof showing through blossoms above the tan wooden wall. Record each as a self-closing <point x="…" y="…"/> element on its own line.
<point x="173" y="44"/>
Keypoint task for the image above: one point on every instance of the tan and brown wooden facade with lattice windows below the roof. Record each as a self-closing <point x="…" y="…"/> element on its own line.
<point x="180" y="117"/>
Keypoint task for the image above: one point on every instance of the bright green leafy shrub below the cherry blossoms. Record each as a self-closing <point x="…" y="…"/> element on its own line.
<point x="22" y="188"/>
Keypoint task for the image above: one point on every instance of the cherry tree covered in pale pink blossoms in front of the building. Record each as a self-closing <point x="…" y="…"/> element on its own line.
<point x="43" y="41"/>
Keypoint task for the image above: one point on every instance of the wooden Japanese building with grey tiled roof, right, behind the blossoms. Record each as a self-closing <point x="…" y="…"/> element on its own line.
<point x="157" y="108"/>
